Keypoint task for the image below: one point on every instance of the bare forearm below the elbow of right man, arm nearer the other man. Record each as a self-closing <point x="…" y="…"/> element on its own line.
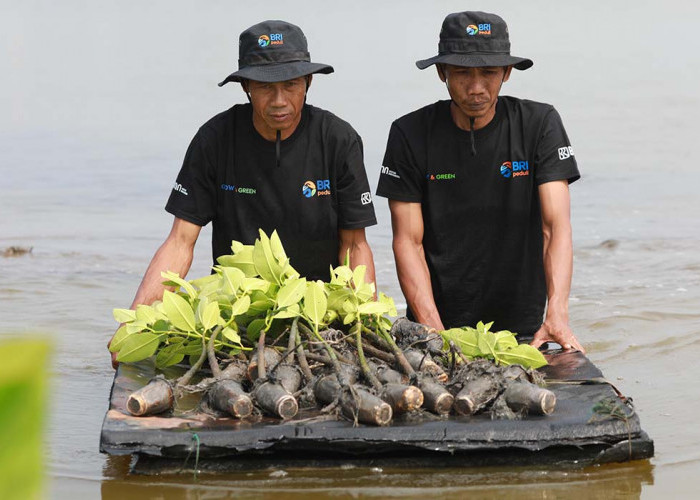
<point x="414" y="279"/>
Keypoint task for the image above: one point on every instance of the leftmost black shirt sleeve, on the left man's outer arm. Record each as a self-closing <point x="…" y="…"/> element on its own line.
<point x="193" y="197"/>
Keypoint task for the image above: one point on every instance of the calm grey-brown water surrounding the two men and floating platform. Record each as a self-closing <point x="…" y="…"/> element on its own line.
<point x="99" y="102"/>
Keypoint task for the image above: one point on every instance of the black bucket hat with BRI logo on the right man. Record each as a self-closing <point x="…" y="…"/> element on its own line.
<point x="474" y="39"/>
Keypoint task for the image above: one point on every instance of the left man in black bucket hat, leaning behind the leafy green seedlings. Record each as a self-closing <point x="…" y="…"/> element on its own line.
<point x="274" y="163"/>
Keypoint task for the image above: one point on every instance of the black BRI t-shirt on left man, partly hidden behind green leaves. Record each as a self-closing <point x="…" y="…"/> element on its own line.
<point x="230" y="177"/>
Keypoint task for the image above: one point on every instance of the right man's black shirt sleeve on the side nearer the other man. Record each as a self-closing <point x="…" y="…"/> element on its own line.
<point x="401" y="178"/>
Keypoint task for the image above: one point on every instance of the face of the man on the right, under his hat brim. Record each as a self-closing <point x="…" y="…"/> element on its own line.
<point x="474" y="91"/>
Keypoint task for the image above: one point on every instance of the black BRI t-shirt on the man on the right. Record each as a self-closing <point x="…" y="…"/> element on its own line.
<point x="482" y="223"/>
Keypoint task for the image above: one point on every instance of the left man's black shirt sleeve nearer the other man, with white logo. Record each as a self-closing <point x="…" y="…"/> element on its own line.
<point x="355" y="207"/>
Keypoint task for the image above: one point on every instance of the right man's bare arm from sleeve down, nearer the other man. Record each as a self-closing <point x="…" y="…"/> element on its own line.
<point x="411" y="267"/>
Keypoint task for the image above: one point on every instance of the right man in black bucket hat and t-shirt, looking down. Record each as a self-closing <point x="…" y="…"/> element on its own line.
<point x="478" y="192"/>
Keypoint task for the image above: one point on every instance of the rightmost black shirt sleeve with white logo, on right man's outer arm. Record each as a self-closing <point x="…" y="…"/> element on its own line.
<point x="554" y="157"/>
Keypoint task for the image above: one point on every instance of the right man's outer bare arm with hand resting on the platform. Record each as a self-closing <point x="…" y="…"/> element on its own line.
<point x="558" y="265"/>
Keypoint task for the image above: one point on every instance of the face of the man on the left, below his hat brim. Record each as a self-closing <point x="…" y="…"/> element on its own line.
<point x="277" y="106"/>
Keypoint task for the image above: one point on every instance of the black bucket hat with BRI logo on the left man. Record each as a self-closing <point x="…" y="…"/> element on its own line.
<point x="274" y="51"/>
